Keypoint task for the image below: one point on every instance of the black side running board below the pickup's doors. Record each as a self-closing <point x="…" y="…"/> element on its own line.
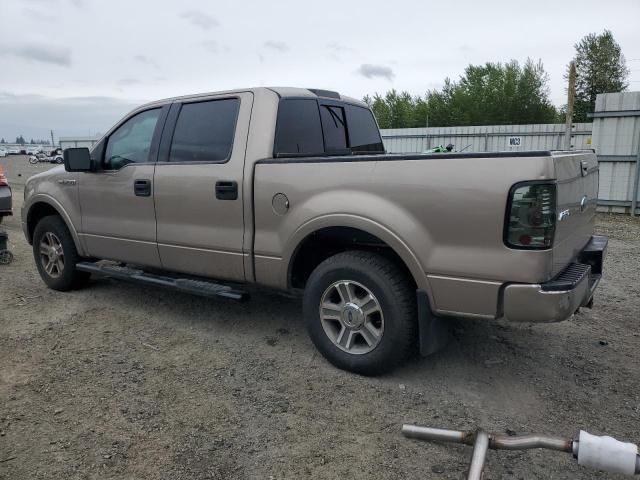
<point x="203" y="288"/>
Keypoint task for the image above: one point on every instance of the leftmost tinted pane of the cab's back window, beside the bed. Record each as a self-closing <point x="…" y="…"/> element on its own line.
<point x="298" y="130"/>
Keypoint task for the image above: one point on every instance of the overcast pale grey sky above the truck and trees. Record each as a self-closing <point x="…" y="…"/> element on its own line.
<point x="76" y="66"/>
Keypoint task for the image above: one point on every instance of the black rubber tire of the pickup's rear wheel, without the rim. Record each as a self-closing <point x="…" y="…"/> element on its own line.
<point x="395" y="294"/>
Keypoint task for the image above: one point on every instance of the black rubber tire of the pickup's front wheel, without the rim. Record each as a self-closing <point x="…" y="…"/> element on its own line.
<point x="68" y="277"/>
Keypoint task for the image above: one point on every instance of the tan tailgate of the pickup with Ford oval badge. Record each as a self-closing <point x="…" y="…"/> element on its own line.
<point x="577" y="194"/>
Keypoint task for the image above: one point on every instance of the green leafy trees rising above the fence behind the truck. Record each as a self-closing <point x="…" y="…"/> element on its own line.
<point x="508" y="94"/>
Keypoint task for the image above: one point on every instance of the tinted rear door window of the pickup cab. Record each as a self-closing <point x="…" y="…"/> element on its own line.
<point x="204" y="131"/>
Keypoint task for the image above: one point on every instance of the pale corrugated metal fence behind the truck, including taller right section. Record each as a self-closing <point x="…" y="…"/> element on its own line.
<point x="615" y="134"/>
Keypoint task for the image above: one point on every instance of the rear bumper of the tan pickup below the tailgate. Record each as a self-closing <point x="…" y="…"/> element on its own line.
<point x="559" y="298"/>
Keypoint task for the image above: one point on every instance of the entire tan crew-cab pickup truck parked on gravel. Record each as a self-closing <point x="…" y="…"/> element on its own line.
<point x="291" y="188"/>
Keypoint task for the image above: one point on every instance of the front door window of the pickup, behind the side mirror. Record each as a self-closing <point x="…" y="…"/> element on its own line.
<point x="131" y="142"/>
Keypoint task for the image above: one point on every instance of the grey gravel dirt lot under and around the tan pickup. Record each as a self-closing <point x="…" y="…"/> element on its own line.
<point x="120" y="381"/>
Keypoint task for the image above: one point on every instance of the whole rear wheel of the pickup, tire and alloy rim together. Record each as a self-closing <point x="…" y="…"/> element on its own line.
<point x="360" y="311"/>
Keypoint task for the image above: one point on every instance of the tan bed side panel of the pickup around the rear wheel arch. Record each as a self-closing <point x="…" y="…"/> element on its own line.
<point x="445" y="215"/>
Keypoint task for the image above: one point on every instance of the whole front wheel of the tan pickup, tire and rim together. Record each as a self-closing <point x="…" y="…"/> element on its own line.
<point x="56" y="255"/>
